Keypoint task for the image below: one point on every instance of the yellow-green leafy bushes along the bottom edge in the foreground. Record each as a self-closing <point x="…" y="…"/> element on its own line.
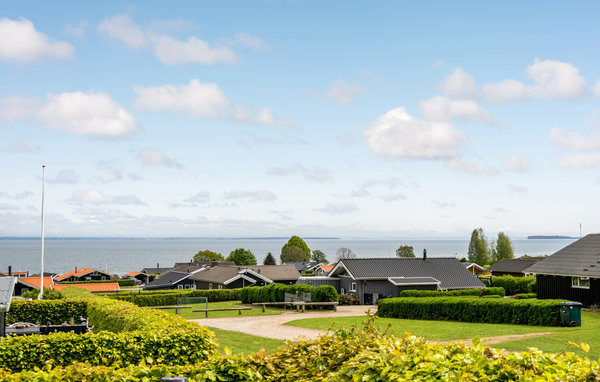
<point x="355" y="354"/>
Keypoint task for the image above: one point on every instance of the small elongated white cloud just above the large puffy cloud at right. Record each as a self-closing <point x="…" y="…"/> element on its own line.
<point x="440" y="108"/>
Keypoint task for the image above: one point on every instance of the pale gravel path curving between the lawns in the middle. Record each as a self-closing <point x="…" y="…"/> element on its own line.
<point x="273" y="326"/>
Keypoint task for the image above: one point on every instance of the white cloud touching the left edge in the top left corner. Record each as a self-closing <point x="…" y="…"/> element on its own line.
<point x="21" y="42"/>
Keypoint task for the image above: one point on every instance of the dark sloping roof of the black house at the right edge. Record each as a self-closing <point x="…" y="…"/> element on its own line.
<point x="580" y="258"/>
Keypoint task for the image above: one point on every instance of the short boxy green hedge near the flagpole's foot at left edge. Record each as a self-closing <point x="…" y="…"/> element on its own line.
<point x="43" y="312"/>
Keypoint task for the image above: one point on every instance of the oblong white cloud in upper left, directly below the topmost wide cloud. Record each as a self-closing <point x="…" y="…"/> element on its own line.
<point x="197" y="98"/>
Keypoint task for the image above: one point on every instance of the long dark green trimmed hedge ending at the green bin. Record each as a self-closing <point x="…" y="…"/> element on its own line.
<point x="468" y="309"/>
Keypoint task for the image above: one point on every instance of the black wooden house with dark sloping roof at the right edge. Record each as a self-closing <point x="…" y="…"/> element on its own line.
<point x="572" y="273"/>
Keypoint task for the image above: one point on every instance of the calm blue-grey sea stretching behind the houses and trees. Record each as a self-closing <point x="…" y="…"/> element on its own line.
<point x="123" y="255"/>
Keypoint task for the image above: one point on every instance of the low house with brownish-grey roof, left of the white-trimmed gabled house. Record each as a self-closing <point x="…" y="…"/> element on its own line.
<point x="229" y="277"/>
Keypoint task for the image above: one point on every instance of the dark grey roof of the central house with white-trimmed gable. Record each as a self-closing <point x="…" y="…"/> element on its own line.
<point x="449" y="271"/>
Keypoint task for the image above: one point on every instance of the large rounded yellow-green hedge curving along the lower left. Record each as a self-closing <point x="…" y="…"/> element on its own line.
<point x="123" y="334"/>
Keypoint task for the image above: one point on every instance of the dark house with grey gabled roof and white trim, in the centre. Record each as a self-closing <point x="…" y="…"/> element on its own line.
<point x="372" y="279"/>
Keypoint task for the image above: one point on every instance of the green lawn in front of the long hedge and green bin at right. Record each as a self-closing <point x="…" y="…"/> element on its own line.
<point x="589" y="332"/>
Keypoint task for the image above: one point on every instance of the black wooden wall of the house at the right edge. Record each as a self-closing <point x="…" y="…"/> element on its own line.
<point x="561" y="287"/>
